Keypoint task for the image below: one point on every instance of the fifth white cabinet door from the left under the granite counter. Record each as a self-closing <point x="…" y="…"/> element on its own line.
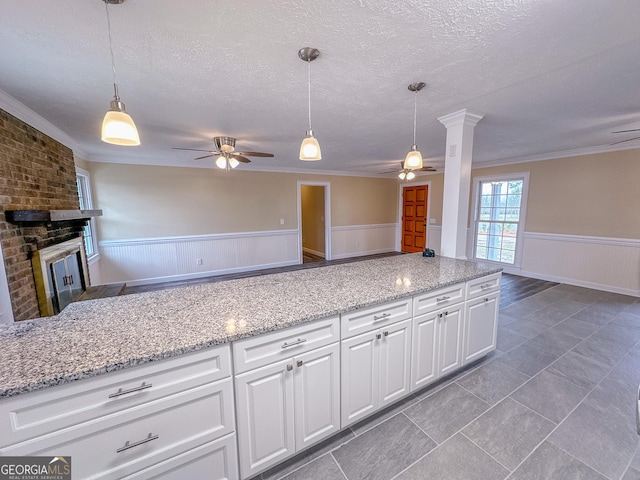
<point x="425" y="351"/>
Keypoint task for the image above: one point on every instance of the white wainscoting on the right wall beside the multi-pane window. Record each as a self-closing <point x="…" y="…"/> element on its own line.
<point x="611" y="264"/>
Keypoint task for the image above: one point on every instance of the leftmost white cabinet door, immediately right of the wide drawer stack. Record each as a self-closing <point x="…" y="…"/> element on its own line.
<point x="265" y="416"/>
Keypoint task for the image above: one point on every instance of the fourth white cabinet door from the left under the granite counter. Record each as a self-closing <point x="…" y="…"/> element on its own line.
<point x="395" y="362"/>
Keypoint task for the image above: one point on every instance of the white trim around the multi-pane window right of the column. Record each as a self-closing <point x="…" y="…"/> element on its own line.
<point x="524" y="176"/>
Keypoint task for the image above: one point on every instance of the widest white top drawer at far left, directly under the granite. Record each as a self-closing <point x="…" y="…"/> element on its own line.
<point x="34" y="414"/>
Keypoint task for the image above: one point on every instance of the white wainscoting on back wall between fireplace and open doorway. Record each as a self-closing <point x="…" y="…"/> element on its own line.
<point x="144" y="261"/>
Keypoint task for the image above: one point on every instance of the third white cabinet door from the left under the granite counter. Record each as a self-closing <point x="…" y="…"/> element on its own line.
<point x="359" y="379"/>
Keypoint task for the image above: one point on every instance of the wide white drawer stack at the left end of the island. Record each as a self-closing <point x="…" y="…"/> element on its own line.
<point x="142" y="422"/>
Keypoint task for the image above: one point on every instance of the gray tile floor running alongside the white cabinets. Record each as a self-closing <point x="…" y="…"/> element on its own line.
<point x="555" y="401"/>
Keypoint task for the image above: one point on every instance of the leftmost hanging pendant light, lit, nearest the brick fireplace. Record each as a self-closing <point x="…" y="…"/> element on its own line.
<point x="117" y="127"/>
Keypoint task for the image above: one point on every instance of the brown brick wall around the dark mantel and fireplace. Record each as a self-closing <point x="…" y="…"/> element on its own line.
<point x="36" y="173"/>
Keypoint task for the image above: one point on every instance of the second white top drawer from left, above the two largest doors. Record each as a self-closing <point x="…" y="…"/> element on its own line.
<point x="264" y="349"/>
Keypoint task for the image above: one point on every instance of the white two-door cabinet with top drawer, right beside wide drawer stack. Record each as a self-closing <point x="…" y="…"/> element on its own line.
<point x="286" y="405"/>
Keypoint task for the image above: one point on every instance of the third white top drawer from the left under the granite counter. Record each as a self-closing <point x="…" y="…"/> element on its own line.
<point x="367" y="319"/>
